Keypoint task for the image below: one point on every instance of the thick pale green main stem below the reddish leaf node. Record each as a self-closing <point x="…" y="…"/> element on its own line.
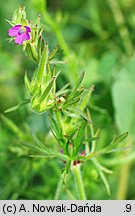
<point x="79" y="182"/>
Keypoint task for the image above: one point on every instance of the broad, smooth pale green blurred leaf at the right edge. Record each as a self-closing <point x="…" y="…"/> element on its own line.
<point x="123" y="93"/>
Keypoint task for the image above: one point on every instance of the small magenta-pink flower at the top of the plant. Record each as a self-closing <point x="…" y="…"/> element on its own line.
<point x="20" y="32"/>
